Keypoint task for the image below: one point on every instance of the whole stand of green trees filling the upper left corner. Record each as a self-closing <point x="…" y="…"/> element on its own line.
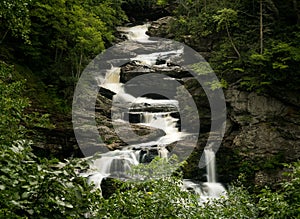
<point x="61" y="37"/>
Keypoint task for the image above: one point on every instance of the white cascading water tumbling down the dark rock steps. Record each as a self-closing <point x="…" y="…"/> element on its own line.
<point x="118" y="162"/>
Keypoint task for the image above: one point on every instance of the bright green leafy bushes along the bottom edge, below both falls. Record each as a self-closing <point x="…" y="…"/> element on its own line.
<point x="164" y="198"/>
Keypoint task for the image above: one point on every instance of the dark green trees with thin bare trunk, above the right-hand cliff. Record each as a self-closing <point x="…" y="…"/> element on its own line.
<point x="256" y="41"/>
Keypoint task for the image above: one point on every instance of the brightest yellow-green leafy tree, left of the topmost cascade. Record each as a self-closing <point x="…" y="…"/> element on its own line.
<point x="78" y="32"/>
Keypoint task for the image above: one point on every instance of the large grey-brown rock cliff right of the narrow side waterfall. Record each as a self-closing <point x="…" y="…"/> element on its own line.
<point x="262" y="133"/>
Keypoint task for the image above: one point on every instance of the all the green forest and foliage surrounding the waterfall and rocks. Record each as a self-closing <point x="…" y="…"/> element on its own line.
<point x="44" y="47"/>
